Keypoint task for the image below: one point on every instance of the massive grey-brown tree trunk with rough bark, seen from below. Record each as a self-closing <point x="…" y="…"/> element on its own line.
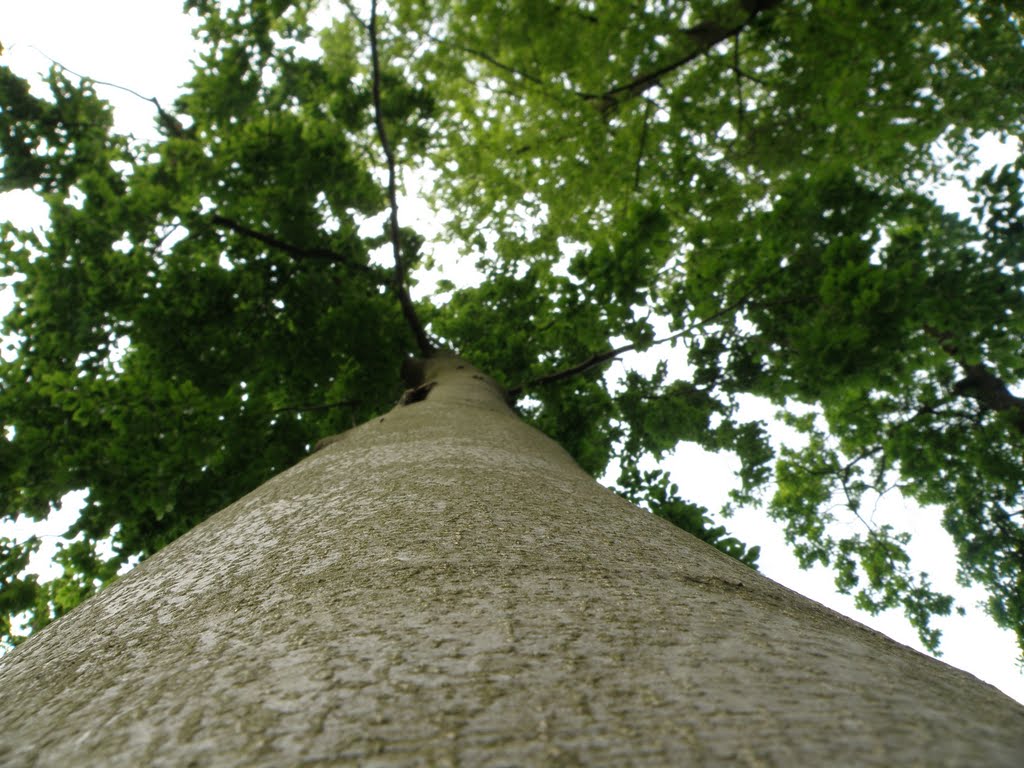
<point x="445" y="586"/>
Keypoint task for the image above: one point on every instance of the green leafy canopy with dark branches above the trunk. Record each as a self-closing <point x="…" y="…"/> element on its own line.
<point x="741" y="187"/>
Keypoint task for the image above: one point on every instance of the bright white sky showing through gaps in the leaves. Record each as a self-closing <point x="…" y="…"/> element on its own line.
<point x="146" y="46"/>
